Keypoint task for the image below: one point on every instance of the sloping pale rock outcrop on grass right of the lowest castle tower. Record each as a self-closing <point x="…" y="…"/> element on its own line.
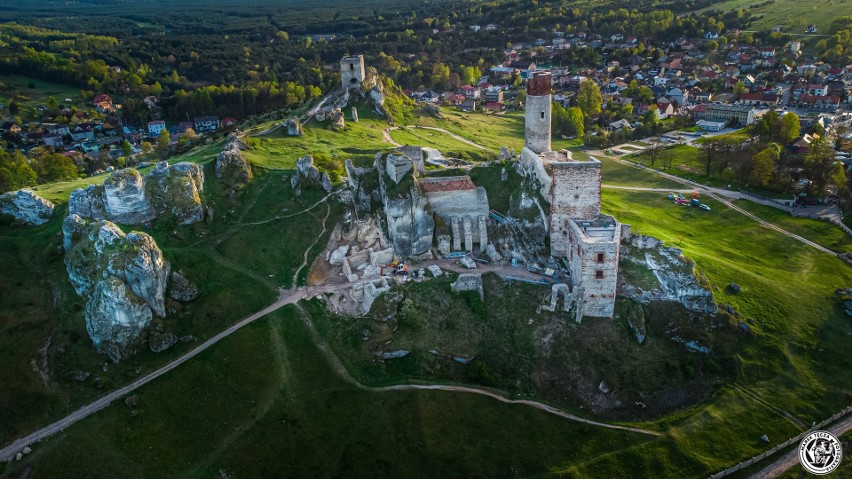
<point x="649" y="271"/>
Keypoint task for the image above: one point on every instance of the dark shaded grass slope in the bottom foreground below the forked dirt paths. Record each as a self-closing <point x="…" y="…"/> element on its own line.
<point x="289" y="413"/>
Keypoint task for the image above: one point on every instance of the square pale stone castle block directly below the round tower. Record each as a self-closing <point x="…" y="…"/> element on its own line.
<point x="575" y="193"/>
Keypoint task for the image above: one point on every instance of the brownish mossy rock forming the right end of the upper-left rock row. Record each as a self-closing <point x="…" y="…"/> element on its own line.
<point x="176" y="191"/>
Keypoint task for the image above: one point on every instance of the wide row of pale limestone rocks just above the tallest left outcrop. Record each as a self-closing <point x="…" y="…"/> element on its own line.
<point x="127" y="197"/>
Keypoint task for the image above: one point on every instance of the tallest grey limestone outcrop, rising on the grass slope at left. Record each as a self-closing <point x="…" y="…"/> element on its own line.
<point x="123" y="277"/>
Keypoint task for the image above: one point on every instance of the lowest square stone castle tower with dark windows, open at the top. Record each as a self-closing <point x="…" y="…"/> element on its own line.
<point x="595" y="278"/>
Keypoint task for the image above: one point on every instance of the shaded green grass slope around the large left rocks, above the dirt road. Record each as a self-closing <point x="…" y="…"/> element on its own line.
<point x="230" y="262"/>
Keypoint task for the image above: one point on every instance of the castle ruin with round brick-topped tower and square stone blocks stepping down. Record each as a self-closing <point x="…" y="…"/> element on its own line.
<point x="579" y="233"/>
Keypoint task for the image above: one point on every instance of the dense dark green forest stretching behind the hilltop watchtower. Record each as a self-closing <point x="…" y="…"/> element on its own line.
<point x="218" y="59"/>
